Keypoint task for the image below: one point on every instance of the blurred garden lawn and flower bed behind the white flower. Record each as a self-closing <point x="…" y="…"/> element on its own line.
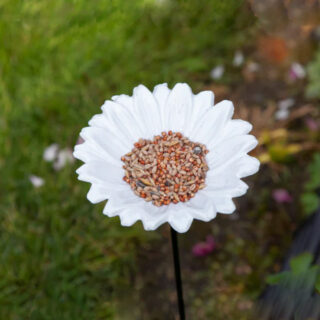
<point x="60" y="258"/>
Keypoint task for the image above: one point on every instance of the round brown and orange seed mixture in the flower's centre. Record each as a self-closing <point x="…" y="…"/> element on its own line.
<point x="168" y="169"/>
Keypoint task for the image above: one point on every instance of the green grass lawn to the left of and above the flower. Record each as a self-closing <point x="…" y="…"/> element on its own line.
<point x="59" y="60"/>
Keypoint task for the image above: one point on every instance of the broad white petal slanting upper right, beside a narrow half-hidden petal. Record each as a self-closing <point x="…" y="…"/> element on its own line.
<point x="212" y="123"/>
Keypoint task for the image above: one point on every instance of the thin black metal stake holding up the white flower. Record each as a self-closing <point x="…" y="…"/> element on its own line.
<point x="175" y="251"/>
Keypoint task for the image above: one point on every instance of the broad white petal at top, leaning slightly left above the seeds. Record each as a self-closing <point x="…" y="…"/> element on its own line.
<point x="147" y="109"/>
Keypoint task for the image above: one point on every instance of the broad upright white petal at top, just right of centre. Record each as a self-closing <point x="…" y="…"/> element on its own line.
<point x="178" y="108"/>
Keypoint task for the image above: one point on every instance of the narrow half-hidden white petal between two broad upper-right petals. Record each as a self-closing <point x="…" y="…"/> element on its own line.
<point x="202" y="102"/>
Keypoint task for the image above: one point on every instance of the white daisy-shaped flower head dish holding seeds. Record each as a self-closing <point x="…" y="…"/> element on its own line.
<point x="125" y="120"/>
